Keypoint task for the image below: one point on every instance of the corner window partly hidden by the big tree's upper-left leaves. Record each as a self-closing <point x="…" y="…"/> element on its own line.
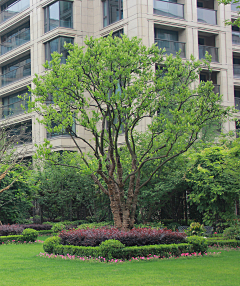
<point x="57" y="45"/>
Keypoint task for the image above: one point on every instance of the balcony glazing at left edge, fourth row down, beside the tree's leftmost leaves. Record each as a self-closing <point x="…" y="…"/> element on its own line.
<point x="11" y="105"/>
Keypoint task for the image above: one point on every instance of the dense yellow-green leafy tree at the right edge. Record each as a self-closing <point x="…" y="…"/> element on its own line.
<point x="214" y="178"/>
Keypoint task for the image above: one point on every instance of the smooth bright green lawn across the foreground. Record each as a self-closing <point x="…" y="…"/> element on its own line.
<point x="20" y="265"/>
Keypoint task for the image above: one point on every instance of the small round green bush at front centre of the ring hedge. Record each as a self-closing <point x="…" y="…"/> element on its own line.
<point x="110" y="248"/>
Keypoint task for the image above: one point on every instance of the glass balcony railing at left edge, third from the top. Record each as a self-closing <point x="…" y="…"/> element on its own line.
<point x="16" y="74"/>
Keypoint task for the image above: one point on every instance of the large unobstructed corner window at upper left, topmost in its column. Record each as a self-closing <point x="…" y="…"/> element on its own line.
<point x="58" y="14"/>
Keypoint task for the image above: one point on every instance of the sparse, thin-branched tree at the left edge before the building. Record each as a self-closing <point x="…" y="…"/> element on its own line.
<point x="13" y="150"/>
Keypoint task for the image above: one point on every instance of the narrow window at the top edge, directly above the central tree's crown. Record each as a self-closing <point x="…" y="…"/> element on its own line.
<point x="112" y="11"/>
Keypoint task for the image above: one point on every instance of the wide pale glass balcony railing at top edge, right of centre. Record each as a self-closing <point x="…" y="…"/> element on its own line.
<point x="168" y="9"/>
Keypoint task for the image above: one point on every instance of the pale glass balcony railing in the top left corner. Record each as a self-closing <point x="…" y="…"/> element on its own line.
<point x="14" y="9"/>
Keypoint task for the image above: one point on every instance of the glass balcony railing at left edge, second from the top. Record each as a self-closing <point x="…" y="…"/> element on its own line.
<point x="15" y="41"/>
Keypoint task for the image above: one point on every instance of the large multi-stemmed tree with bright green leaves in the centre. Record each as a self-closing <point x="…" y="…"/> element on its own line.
<point x="114" y="88"/>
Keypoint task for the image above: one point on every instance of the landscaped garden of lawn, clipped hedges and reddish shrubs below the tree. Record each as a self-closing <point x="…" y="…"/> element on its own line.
<point x="26" y="263"/>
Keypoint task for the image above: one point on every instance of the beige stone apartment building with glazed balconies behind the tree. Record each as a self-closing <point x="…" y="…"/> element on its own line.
<point x="30" y="30"/>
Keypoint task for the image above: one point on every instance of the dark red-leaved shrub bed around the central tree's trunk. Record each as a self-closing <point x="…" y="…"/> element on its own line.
<point x="136" y="236"/>
